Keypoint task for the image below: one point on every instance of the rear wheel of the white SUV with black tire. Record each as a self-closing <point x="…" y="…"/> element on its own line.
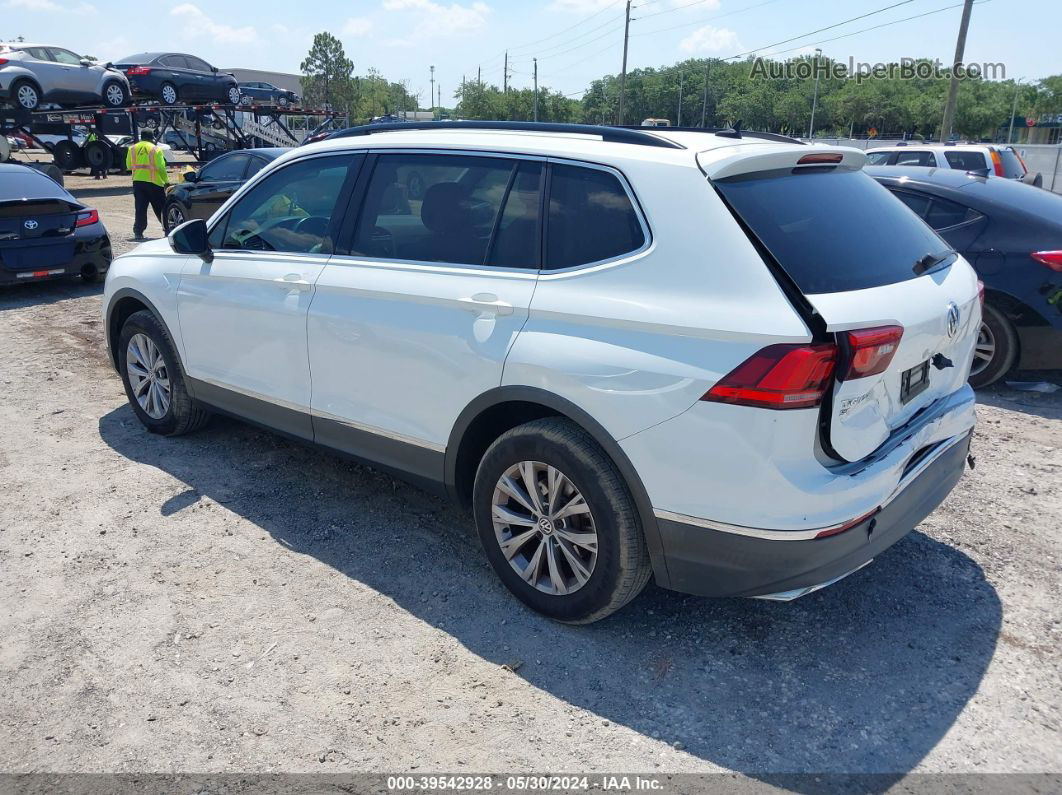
<point x="616" y="569"/>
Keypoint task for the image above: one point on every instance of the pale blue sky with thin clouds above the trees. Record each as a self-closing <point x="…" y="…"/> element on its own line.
<point x="575" y="41"/>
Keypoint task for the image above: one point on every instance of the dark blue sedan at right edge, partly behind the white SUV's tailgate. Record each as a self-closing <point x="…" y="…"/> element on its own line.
<point x="1013" y="236"/>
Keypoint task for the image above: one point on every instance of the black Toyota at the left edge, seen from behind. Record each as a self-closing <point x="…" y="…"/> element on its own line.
<point x="46" y="233"/>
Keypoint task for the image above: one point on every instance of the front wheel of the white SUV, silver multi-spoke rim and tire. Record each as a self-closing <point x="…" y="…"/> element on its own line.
<point x="155" y="383"/>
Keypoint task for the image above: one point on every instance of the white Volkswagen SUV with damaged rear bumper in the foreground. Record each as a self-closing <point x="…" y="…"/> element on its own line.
<point x="727" y="361"/>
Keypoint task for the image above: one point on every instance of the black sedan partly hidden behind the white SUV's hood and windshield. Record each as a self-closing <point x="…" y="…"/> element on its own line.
<point x="203" y="192"/>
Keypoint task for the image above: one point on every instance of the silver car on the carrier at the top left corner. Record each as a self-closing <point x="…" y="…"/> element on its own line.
<point x="32" y="75"/>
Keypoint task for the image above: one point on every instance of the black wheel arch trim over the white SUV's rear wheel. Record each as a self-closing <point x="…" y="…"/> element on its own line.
<point x="498" y="411"/>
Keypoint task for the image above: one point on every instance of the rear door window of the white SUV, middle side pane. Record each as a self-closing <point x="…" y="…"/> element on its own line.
<point x="432" y="209"/>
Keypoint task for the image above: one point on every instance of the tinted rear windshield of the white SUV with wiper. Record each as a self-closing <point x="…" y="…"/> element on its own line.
<point x="832" y="231"/>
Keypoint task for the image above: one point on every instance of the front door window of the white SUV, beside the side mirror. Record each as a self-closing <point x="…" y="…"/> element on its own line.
<point x="294" y="210"/>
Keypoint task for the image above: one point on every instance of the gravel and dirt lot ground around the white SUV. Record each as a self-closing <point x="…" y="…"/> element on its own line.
<point x="232" y="601"/>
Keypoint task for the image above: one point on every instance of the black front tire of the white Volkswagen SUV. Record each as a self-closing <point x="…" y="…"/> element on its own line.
<point x="182" y="414"/>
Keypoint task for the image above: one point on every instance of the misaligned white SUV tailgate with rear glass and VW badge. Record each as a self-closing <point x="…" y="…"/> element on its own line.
<point x="865" y="265"/>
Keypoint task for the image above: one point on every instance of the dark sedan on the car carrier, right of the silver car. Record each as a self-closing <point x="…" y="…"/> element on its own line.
<point x="174" y="77"/>
